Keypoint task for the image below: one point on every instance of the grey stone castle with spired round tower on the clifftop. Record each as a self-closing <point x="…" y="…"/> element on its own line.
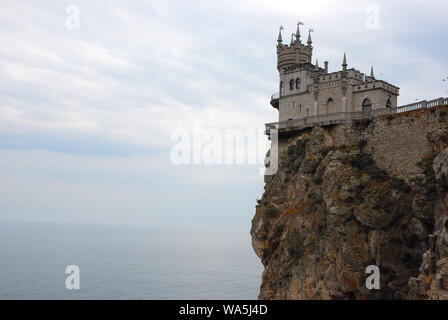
<point x="306" y="90"/>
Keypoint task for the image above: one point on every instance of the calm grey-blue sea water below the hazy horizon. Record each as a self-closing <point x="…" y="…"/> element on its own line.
<point x="126" y="262"/>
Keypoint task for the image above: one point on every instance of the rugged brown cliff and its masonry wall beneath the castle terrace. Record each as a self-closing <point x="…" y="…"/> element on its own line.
<point x="349" y="196"/>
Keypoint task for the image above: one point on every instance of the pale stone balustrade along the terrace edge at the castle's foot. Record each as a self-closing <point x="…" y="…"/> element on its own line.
<point x="346" y="117"/>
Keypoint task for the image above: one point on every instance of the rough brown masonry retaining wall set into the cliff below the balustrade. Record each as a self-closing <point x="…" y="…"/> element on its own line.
<point x="396" y="142"/>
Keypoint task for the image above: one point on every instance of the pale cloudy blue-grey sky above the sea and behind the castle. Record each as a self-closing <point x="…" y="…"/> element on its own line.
<point x="93" y="92"/>
